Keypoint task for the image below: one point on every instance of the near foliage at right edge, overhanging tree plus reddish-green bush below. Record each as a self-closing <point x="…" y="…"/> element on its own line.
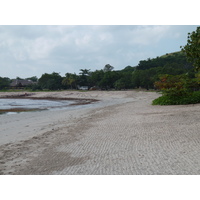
<point x="183" y="89"/>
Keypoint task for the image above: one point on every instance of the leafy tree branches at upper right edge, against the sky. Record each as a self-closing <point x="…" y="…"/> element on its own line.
<point x="192" y="48"/>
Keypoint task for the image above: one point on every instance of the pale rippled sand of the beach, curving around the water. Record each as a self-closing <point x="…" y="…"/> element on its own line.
<point x="120" y="134"/>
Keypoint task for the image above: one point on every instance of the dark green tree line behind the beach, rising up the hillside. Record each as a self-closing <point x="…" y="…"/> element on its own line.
<point x="141" y="76"/>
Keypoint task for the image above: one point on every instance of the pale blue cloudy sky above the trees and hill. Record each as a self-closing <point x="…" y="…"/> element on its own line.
<point x="32" y="50"/>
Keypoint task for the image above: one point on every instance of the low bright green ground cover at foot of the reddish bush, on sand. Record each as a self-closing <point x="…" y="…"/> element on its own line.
<point x="191" y="98"/>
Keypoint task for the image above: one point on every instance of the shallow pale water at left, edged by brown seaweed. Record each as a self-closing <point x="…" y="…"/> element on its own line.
<point x="32" y="104"/>
